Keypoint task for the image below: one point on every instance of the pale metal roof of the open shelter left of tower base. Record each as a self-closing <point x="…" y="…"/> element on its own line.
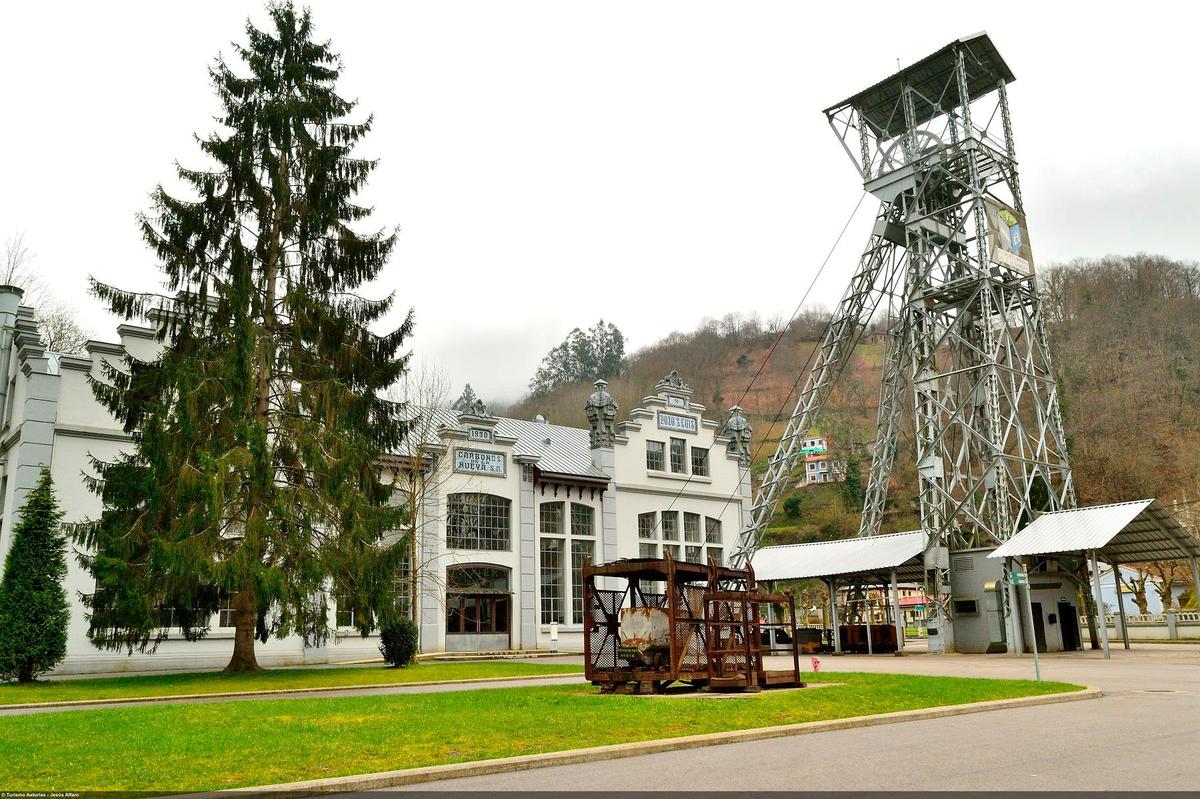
<point x="862" y="556"/>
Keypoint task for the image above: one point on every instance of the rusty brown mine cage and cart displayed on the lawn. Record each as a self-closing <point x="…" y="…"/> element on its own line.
<point x="652" y="622"/>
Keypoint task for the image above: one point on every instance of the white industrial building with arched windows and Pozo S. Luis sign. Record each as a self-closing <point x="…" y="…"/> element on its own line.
<point x="511" y="509"/>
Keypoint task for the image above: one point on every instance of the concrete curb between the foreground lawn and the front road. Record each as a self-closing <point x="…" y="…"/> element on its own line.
<point x="521" y="764"/>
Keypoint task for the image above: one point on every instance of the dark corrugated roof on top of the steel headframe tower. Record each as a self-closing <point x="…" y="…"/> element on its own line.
<point x="880" y="107"/>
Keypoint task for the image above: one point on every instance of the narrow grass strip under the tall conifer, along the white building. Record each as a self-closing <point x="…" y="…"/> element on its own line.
<point x="109" y="688"/>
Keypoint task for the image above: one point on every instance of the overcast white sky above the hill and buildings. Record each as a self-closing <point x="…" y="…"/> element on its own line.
<point x="550" y="164"/>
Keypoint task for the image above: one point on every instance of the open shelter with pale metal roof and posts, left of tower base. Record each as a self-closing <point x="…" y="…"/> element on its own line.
<point x="889" y="558"/>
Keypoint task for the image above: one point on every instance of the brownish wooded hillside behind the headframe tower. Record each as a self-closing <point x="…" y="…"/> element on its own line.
<point x="1125" y="334"/>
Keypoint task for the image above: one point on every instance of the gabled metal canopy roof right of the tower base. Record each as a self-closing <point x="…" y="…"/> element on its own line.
<point x="1125" y="533"/>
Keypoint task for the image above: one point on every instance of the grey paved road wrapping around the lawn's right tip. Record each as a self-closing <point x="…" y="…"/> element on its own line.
<point x="1144" y="735"/>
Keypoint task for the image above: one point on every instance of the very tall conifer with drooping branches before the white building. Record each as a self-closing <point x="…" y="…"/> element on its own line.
<point x="257" y="430"/>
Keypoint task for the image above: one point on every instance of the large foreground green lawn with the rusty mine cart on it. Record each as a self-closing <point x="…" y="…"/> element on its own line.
<point x="230" y="744"/>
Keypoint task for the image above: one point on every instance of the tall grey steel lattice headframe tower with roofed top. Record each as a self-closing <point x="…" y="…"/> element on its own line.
<point x="950" y="265"/>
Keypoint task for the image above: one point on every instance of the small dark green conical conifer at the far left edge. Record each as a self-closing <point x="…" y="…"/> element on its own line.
<point x="34" y="610"/>
